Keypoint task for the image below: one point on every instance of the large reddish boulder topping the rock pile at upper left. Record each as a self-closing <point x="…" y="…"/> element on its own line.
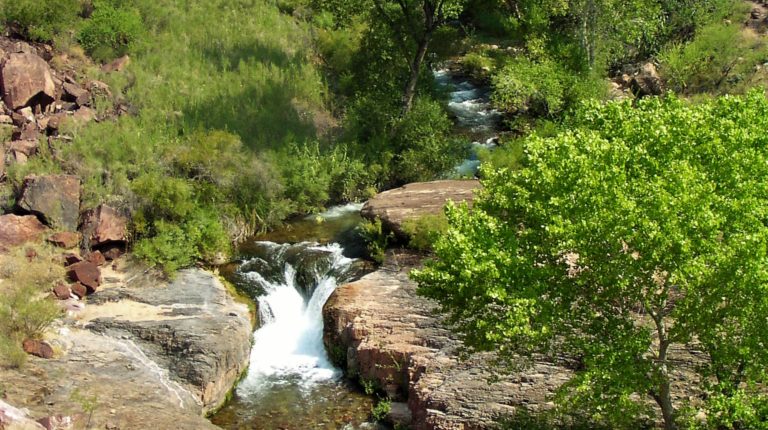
<point x="26" y="81"/>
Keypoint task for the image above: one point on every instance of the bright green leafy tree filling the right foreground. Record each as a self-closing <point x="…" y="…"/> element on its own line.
<point x="638" y="229"/>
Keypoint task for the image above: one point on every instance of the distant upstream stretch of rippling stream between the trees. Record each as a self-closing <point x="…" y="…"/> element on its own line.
<point x="475" y="116"/>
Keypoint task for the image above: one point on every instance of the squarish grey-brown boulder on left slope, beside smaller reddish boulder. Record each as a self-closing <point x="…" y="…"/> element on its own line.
<point x="54" y="198"/>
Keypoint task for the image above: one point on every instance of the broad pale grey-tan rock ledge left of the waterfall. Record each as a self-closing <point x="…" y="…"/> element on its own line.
<point x="144" y="353"/>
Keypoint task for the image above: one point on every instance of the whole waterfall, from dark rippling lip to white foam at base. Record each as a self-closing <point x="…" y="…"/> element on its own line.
<point x="295" y="281"/>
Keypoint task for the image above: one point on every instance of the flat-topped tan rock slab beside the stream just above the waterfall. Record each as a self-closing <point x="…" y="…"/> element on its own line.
<point x="412" y="201"/>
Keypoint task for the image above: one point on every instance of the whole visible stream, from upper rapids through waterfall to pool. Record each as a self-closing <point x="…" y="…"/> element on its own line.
<point x="291" y="272"/>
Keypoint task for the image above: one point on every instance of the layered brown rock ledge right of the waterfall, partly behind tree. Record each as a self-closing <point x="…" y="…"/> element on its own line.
<point x="381" y="331"/>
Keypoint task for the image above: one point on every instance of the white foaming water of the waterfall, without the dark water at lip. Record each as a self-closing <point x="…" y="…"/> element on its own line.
<point x="288" y="347"/>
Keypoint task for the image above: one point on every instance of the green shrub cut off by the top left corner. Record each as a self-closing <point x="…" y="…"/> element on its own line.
<point x="40" y="20"/>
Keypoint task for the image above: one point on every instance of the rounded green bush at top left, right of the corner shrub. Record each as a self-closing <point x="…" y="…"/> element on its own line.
<point x="111" y="31"/>
